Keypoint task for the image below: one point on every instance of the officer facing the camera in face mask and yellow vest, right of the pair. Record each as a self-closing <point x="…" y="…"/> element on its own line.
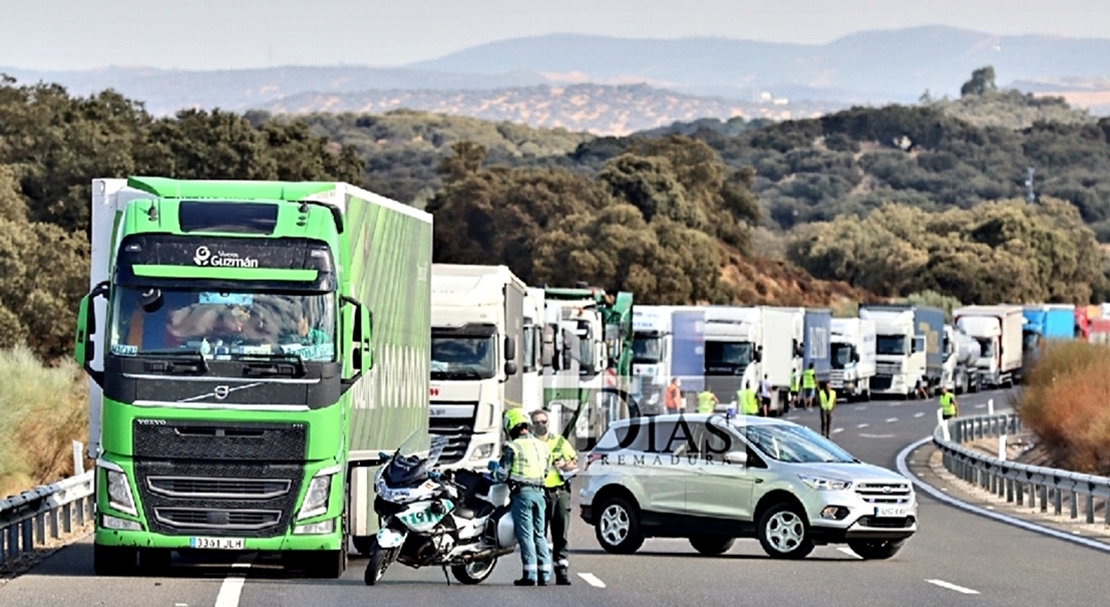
<point x="564" y="461"/>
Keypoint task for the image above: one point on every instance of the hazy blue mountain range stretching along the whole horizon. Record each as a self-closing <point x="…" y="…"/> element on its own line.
<point x="869" y="68"/>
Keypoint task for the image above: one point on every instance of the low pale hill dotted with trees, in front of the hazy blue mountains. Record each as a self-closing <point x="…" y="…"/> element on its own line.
<point x="599" y="109"/>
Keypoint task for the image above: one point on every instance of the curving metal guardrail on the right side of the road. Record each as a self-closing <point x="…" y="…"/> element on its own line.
<point x="1017" y="482"/>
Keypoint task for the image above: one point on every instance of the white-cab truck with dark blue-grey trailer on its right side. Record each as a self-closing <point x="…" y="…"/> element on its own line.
<point x="909" y="348"/>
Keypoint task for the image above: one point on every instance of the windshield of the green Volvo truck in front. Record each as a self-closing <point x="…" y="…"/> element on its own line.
<point x="223" y="325"/>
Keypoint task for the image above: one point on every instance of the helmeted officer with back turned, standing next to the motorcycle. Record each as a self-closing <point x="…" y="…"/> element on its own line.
<point x="524" y="464"/>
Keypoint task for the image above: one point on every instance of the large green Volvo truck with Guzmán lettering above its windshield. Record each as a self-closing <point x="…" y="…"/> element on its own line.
<point x="253" y="348"/>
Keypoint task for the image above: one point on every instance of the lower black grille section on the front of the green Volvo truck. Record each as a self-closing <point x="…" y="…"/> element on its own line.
<point x="233" y="499"/>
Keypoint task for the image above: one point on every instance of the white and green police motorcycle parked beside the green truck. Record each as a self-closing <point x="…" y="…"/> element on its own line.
<point x="452" y="519"/>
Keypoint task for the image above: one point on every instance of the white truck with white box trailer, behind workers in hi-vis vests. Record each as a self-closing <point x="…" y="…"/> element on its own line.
<point x="743" y="345"/>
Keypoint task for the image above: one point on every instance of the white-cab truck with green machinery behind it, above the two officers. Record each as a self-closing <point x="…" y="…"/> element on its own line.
<point x="590" y="339"/>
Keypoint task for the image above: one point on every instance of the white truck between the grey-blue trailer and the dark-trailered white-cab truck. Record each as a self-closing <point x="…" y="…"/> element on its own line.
<point x="854" y="362"/>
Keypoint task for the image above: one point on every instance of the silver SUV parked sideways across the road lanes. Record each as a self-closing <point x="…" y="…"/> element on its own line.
<point x="713" y="479"/>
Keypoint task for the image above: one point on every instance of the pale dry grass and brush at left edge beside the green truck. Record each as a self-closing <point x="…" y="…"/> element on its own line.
<point x="43" y="411"/>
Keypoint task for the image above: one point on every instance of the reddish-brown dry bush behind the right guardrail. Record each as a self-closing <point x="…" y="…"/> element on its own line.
<point x="1066" y="403"/>
